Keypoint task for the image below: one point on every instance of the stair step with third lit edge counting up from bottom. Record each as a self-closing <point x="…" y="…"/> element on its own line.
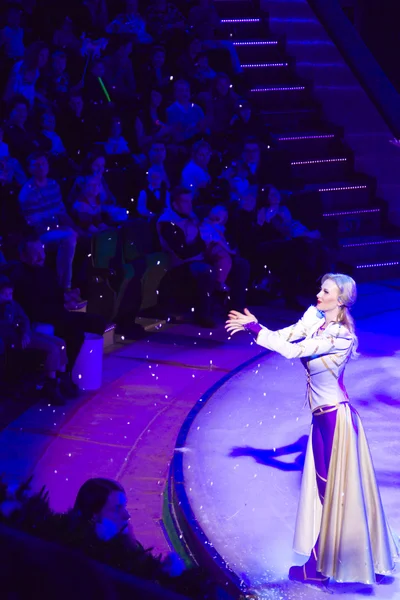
<point x="365" y="221"/>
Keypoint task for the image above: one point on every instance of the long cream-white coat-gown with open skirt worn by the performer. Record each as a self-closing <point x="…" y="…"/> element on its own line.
<point x="355" y="541"/>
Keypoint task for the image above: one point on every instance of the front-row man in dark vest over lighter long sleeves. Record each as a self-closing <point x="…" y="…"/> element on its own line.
<point x="179" y="233"/>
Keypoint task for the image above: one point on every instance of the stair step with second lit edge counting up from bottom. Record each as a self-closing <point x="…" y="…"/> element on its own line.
<point x="368" y="251"/>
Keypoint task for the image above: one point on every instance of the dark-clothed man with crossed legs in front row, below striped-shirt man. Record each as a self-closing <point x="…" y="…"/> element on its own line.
<point x="48" y="303"/>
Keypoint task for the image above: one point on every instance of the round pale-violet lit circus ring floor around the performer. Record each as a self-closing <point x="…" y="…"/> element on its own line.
<point x="239" y="457"/>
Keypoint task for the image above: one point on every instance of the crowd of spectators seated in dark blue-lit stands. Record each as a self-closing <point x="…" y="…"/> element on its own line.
<point x="118" y="112"/>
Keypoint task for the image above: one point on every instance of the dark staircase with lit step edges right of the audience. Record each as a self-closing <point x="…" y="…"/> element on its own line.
<point x="322" y="163"/>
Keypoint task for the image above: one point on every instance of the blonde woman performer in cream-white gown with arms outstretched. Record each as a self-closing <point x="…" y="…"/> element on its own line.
<point x="340" y="524"/>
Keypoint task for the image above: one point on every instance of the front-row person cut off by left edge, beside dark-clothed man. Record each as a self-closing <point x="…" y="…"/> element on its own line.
<point x="16" y="335"/>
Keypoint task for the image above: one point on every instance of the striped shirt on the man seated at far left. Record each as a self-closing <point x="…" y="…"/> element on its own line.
<point x="41" y="207"/>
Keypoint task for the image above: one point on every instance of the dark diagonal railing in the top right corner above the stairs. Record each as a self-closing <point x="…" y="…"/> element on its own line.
<point x="361" y="61"/>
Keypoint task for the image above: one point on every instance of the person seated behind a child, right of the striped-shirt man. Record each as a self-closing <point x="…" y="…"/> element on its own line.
<point x="94" y="166"/>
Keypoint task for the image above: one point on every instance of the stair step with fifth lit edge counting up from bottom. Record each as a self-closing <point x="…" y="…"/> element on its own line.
<point x="322" y="169"/>
